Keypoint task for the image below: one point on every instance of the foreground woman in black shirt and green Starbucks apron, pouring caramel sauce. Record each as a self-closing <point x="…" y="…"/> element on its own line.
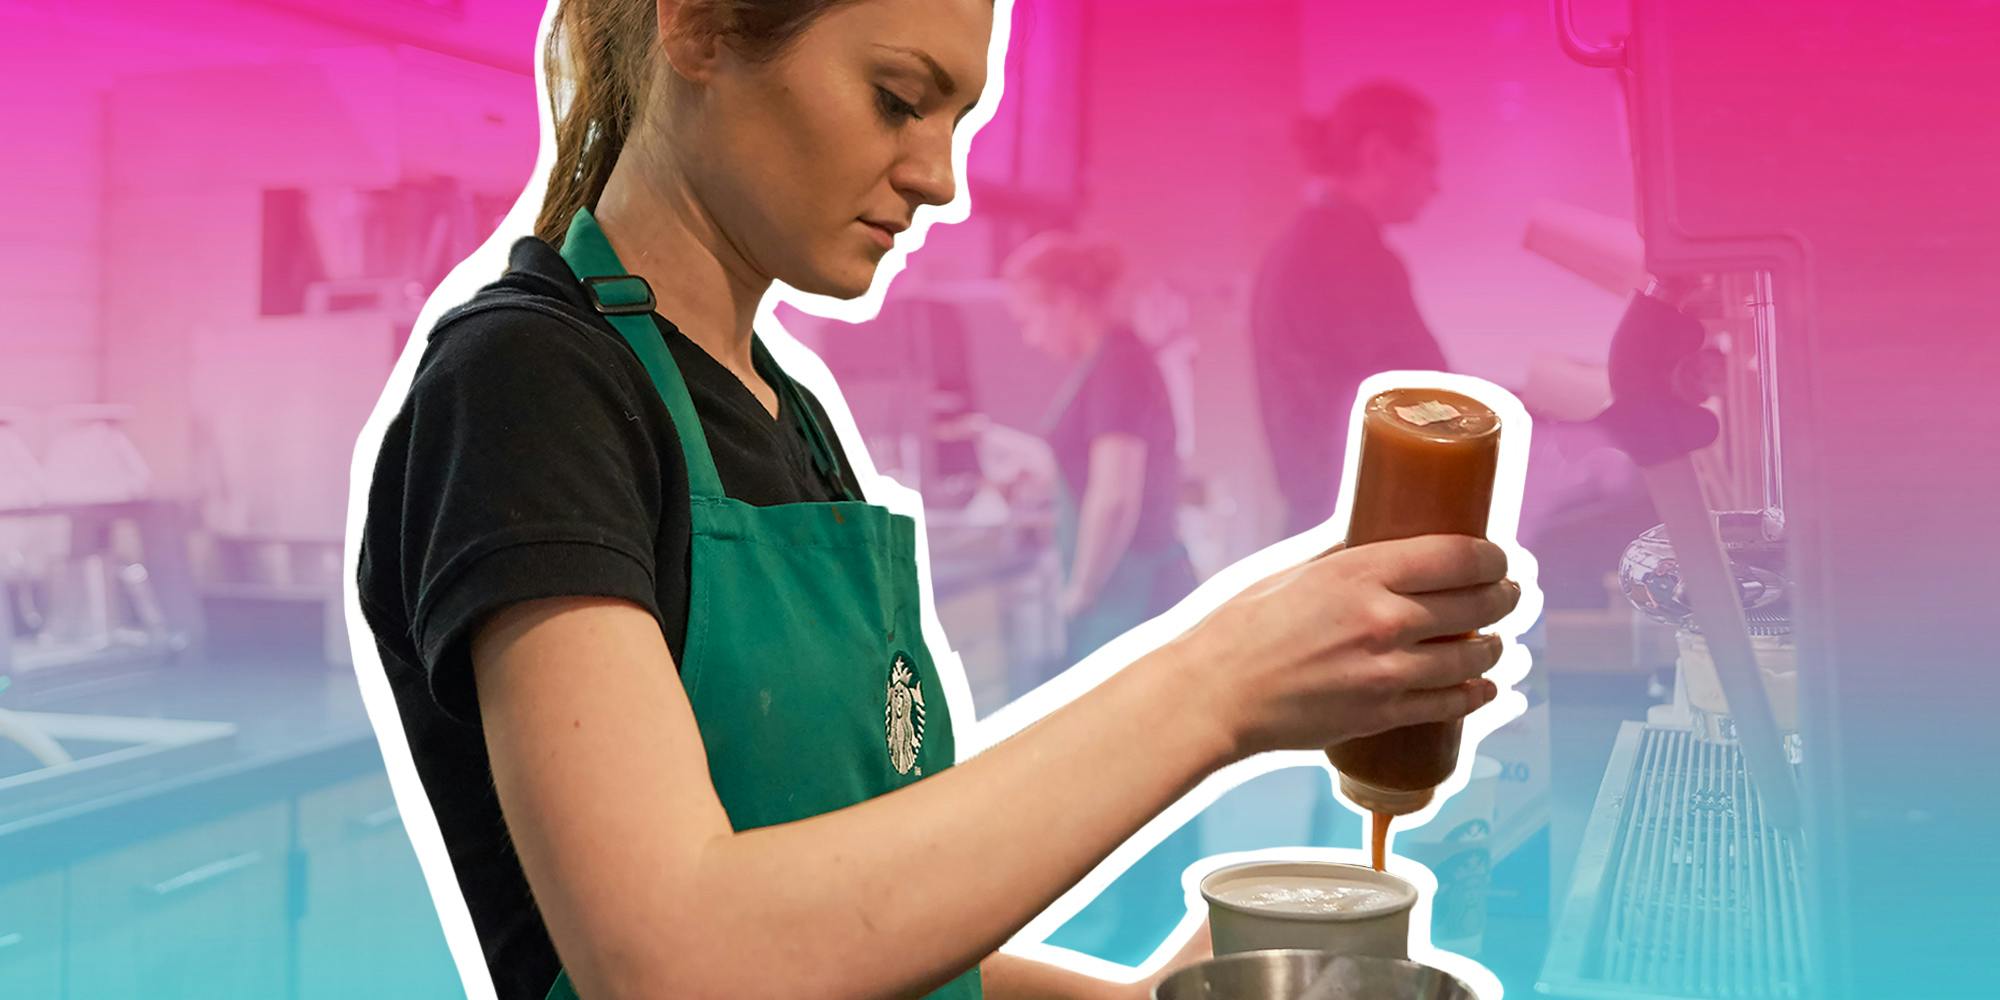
<point x="661" y="669"/>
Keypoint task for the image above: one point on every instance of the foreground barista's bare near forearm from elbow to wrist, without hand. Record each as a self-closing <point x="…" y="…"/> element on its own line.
<point x="901" y="893"/>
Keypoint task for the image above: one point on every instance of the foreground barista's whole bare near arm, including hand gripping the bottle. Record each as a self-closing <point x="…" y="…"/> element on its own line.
<point x="649" y="893"/>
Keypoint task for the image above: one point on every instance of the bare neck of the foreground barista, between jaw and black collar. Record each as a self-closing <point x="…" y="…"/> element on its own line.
<point x="663" y="235"/>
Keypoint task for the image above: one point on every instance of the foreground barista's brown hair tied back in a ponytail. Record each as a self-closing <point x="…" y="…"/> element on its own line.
<point x="601" y="63"/>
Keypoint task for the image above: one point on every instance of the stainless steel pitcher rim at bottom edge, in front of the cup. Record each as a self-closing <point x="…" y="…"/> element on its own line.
<point x="1299" y="975"/>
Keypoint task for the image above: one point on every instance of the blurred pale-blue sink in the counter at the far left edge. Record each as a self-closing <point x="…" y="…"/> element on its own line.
<point x="109" y="755"/>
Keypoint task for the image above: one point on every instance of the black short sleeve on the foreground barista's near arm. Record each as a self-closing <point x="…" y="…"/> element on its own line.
<point x="531" y="473"/>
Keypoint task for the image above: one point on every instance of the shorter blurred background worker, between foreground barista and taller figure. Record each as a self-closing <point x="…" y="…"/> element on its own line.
<point x="1113" y="437"/>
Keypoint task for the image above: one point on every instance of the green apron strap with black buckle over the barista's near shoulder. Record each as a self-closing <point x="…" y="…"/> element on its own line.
<point x="627" y="303"/>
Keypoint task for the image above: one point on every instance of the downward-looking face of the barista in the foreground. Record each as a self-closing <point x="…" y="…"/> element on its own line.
<point x="813" y="159"/>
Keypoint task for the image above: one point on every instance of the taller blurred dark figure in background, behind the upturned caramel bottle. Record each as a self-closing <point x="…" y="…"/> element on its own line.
<point x="1333" y="301"/>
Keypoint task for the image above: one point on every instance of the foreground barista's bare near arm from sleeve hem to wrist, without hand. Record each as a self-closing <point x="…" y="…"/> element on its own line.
<point x="649" y="893"/>
